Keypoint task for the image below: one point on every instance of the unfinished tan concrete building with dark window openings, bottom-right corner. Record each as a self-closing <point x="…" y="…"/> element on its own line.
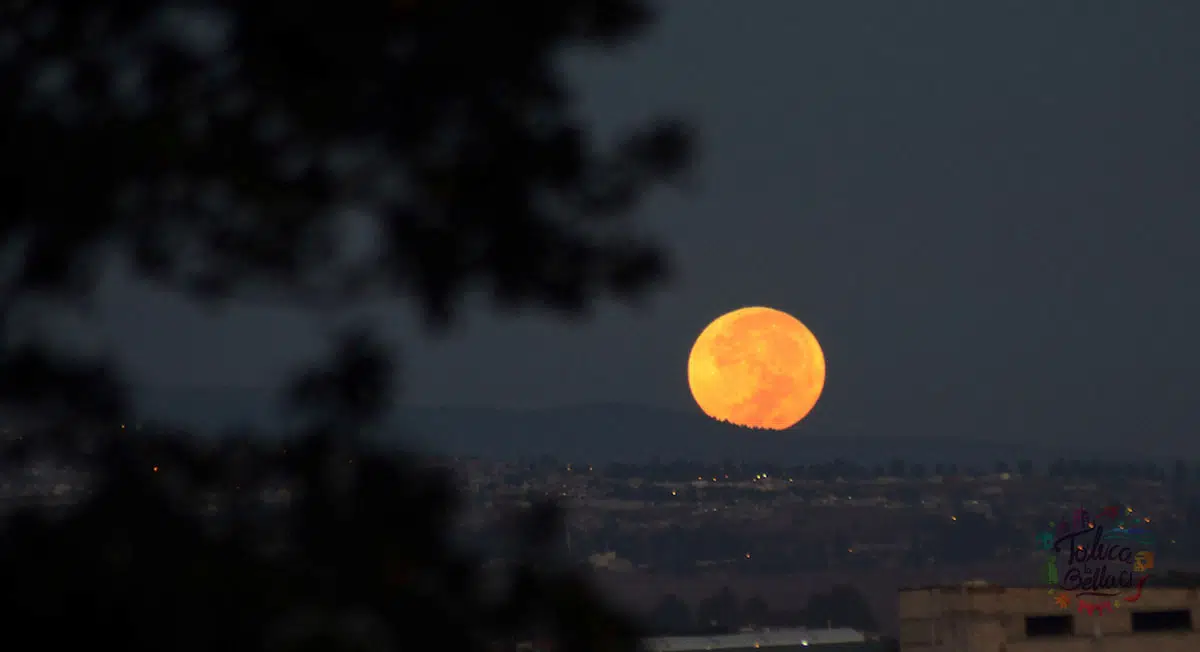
<point x="980" y="618"/>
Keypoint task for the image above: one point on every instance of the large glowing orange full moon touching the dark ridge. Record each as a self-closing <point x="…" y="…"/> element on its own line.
<point x="757" y="368"/>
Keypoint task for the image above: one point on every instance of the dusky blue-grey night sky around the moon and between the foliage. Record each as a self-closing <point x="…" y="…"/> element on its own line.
<point x="987" y="212"/>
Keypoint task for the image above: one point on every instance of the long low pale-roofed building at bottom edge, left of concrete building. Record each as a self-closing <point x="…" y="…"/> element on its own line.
<point x="773" y="641"/>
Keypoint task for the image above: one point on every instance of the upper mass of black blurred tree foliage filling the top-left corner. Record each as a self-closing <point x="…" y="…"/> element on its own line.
<point x="221" y="145"/>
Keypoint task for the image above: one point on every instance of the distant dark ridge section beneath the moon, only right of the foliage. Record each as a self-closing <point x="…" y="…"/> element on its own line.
<point x="639" y="434"/>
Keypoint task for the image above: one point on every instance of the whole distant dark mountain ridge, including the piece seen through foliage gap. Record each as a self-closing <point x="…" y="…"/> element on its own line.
<point x="608" y="433"/>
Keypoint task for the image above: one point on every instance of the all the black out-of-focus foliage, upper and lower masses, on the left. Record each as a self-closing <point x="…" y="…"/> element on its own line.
<point x="226" y="151"/>
